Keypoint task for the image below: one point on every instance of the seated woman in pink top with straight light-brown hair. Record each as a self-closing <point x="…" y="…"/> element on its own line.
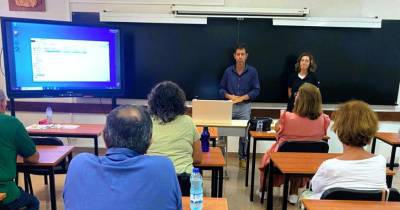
<point x="305" y="123"/>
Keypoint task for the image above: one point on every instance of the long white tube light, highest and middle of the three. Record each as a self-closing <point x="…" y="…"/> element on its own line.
<point x="237" y="11"/>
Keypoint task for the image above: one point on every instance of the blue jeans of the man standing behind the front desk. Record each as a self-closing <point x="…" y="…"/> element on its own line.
<point x="242" y="112"/>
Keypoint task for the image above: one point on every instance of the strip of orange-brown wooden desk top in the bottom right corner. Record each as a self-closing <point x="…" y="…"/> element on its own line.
<point x="349" y="205"/>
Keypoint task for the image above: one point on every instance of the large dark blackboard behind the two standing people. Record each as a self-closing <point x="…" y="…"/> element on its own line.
<point x="353" y="63"/>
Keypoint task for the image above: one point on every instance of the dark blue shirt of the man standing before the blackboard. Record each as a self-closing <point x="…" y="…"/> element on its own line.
<point x="246" y="83"/>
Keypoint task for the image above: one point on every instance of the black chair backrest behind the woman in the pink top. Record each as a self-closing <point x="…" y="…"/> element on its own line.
<point x="304" y="146"/>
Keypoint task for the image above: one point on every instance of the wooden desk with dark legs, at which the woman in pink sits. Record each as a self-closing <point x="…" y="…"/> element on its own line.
<point x="259" y="136"/>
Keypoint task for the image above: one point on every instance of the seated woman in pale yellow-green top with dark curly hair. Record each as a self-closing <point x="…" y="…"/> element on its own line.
<point x="174" y="133"/>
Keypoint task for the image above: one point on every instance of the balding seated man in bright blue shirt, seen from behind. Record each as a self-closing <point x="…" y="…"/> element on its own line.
<point x="124" y="178"/>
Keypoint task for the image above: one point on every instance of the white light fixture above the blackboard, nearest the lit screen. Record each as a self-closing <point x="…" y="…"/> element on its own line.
<point x="149" y="18"/>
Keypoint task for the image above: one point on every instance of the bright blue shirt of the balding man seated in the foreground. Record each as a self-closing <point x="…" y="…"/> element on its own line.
<point x="122" y="179"/>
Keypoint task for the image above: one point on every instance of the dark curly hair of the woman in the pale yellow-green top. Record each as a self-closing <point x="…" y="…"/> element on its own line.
<point x="166" y="101"/>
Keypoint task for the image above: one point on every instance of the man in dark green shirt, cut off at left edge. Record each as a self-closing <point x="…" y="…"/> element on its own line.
<point x="14" y="140"/>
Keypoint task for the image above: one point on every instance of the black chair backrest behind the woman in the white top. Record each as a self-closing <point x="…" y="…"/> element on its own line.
<point x="339" y="193"/>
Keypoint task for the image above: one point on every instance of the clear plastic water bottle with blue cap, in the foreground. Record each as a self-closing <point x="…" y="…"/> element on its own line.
<point x="196" y="190"/>
